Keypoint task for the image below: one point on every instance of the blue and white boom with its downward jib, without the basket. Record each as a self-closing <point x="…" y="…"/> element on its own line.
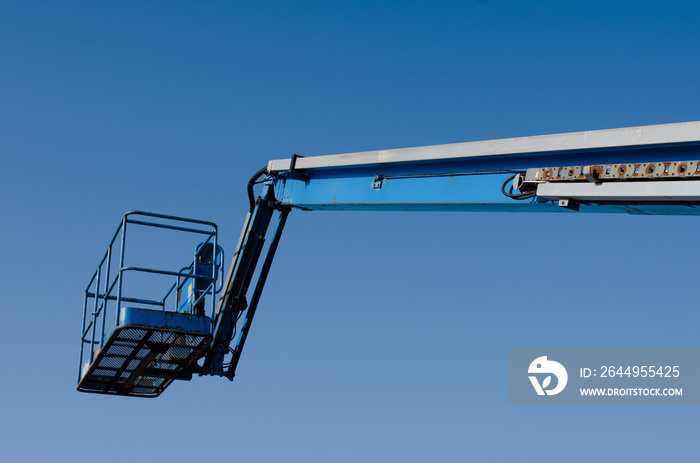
<point x="638" y="170"/>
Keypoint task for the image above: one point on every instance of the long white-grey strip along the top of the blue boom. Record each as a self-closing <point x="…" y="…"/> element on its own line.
<point x="624" y="138"/>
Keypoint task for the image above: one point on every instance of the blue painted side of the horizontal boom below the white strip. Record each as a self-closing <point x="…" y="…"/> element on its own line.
<point x="472" y="184"/>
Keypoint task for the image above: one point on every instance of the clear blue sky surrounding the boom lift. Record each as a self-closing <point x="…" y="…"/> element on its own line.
<point x="380" y="336"/>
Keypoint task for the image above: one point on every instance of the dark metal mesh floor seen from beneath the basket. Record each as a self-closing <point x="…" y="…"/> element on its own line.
<point x="142" y="361"/>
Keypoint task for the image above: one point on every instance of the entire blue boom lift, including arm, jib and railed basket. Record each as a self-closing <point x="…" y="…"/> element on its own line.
<point x="649" y="170"/>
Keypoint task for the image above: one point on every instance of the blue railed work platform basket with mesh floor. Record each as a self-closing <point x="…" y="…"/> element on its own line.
<point x="133" y="343"/>
